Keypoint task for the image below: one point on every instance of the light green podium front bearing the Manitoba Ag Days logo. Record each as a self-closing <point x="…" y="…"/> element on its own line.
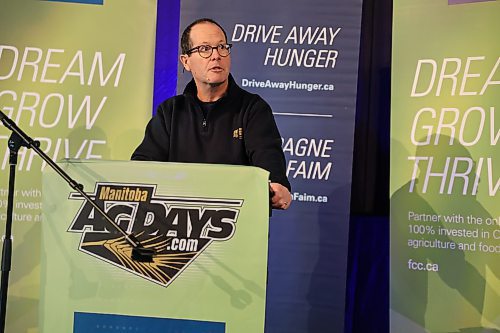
<point x="207" y="223"/>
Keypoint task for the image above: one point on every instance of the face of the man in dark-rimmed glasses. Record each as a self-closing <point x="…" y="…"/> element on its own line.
<point x="211" y="71"/>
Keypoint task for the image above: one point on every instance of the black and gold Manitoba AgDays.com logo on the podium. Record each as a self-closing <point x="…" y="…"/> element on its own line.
<point x="177" y="228"/>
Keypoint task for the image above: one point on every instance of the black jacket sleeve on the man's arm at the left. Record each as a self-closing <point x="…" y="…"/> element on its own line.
<point x="156" y="142"/>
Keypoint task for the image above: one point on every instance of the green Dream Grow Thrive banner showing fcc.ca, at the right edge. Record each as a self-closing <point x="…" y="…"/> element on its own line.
<point x="445" y="212"/>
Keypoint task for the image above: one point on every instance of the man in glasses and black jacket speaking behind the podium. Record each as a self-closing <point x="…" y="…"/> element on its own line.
<point x="214" y="120"/>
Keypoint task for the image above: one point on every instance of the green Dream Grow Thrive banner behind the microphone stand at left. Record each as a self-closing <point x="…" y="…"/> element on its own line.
<point x="76" y="76"/>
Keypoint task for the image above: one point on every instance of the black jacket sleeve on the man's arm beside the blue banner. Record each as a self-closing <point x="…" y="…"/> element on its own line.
<point x="263" y="142"/>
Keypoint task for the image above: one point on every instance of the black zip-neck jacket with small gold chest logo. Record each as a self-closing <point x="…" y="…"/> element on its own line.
<point x="238" y="129"/>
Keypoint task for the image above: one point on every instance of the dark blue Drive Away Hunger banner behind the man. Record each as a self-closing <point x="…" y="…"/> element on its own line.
<point x="302" y="58"/>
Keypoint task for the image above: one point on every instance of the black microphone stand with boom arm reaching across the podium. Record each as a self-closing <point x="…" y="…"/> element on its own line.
<point x="17" y="140"/>
